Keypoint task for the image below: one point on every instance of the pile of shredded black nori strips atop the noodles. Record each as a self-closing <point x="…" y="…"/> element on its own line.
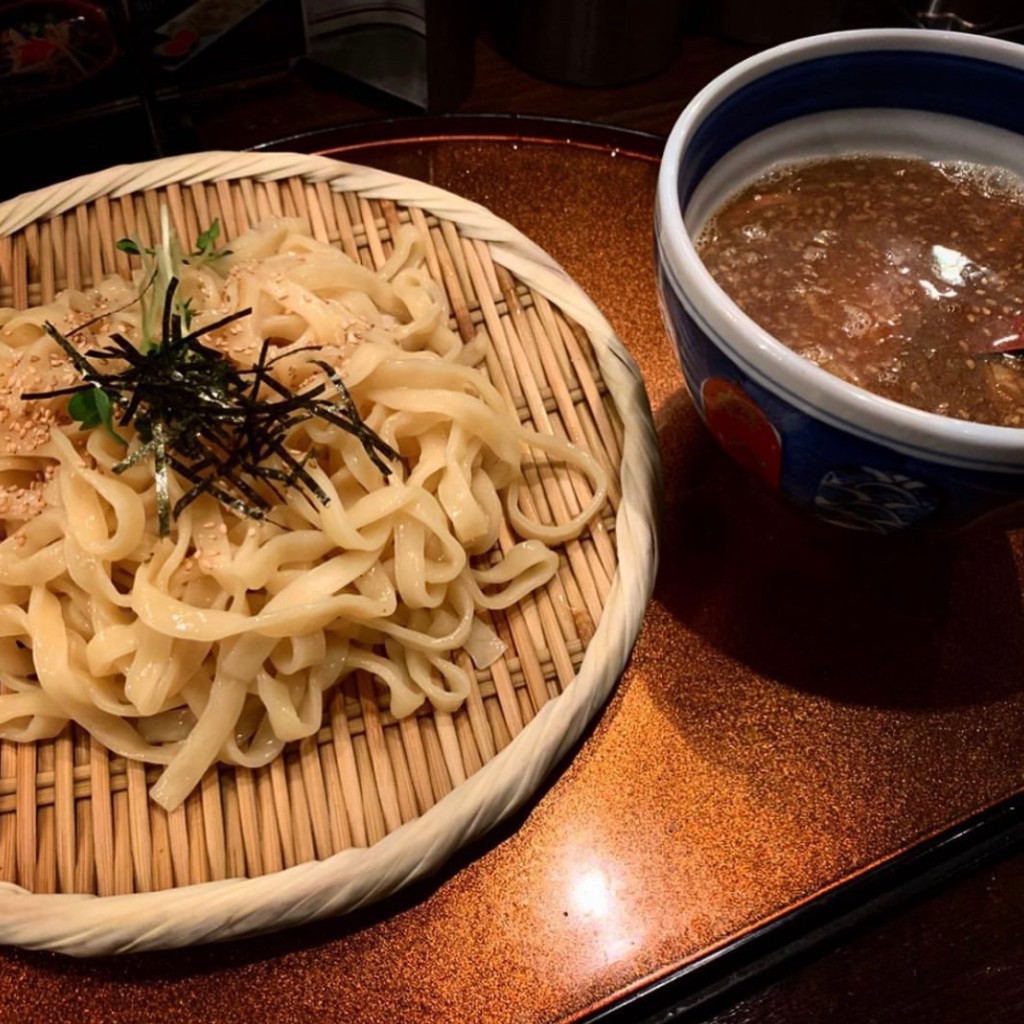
<point x="221" y="428"/>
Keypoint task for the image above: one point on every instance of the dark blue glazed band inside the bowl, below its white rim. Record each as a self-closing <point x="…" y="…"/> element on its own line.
<point x="943" y="83"/>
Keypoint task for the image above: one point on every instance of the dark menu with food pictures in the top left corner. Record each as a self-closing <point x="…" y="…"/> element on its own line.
<point x="87" y="84"/>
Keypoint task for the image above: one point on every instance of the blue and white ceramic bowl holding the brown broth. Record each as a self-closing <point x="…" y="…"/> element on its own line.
<point x="850" y="457"/>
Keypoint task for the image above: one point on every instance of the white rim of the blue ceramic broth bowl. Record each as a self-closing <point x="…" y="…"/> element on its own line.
<point x="935" y="438"/>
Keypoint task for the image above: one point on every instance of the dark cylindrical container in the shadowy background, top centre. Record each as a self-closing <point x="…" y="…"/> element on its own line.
<point x="589" y="42"/>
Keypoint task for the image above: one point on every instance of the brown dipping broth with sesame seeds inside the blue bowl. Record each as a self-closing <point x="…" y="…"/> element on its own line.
<point x="900" y="276"/>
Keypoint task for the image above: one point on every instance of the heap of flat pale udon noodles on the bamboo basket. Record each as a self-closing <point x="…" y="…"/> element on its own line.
<point x="219" y="642"/>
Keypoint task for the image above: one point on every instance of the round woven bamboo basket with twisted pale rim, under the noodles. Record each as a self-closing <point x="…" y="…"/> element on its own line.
<point x="89" y="864"/>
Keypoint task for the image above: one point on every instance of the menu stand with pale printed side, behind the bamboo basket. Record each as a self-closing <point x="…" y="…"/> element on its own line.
<point x="416" y="52"/>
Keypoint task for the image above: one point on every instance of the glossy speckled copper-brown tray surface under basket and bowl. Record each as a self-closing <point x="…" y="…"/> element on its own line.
<point x="803" y="706"/>
